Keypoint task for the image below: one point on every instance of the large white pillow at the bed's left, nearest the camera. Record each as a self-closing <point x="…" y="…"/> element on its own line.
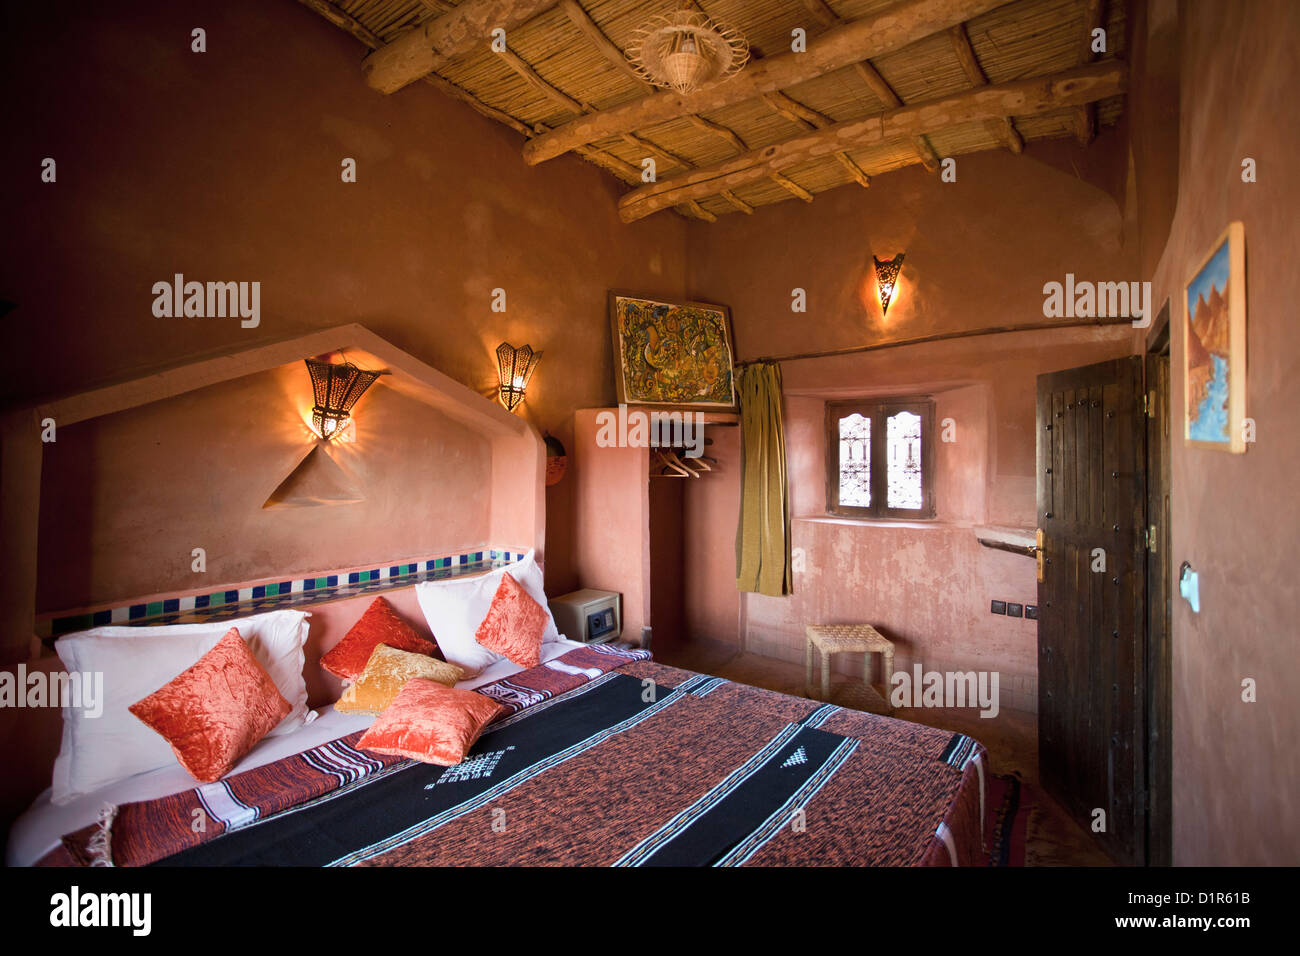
<point x="136" y="663"/>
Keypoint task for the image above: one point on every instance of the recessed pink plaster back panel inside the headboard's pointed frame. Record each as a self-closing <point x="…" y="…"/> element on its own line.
<point x="127" y="498"/>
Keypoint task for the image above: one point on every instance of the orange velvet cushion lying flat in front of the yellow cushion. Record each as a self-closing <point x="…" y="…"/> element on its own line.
<point x="431" y="724"/>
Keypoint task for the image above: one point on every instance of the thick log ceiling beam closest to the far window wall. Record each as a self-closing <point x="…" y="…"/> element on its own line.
<point x="1024" y="98"/>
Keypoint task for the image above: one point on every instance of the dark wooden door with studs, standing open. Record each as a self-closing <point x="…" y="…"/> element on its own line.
<point x="1091" y="499"/>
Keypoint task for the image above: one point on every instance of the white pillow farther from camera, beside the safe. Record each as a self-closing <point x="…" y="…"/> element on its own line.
<point x="457" y="607"/>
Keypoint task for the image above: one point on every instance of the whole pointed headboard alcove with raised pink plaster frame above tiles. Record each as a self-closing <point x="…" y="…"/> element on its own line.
<point x="218" y="456"/>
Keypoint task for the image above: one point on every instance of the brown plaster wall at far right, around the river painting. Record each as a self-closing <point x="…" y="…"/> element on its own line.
<point x="1234" y="520"/>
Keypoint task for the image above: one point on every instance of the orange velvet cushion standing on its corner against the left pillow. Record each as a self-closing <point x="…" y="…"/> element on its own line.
<point x="218" y="711"/>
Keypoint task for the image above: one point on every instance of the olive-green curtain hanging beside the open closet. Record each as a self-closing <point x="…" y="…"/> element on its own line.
<point x="764" y="533"/>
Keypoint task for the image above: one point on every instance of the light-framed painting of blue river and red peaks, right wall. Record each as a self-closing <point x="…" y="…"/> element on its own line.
<point x="1215" y="348"/>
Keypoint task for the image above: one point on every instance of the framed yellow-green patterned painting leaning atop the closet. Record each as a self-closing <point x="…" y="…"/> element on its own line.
<point x="673" y="354"/>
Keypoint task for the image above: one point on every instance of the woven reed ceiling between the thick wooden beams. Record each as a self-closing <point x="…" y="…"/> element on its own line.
<point x="556" y="72"/>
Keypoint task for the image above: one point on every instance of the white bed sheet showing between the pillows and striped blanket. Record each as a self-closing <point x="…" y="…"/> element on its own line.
<point x="44" y="825"/>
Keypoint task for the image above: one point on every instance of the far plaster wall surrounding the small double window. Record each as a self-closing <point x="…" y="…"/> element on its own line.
<point x="978" y="254"/>
